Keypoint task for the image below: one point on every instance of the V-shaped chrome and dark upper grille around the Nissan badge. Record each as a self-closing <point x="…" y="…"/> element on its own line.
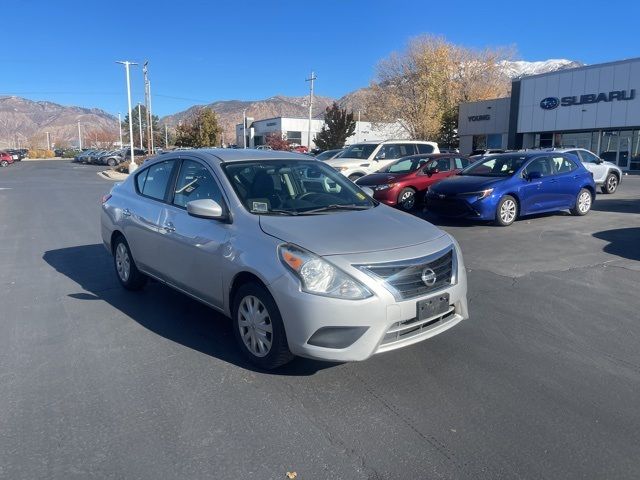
<point x="405" y="279"/>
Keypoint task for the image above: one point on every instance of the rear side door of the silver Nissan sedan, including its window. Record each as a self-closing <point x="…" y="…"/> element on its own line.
<point x="141" y="213"/>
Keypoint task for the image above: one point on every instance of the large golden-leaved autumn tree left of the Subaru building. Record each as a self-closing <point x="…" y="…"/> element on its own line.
<point x="423" y="86"/>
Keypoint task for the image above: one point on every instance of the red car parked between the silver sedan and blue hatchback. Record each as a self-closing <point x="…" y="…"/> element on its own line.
<point x="405" y="181"/>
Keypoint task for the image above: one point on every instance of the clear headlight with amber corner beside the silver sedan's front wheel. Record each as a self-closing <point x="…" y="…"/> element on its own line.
<point x="318" y="276"/>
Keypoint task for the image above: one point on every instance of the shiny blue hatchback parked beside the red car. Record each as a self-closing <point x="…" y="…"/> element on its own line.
<point x="506" y="186"/>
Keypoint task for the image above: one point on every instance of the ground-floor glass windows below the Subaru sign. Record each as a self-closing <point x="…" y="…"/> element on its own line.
<point x="621" y="147"/>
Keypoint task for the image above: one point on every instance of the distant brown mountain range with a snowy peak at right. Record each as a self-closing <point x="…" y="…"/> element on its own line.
<point x="25" y="122"/>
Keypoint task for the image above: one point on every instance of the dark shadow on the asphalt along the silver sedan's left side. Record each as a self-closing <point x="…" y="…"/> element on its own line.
<point x="161" y="309"/>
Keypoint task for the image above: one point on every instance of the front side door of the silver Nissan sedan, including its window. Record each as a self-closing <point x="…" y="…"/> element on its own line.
<point x="191" y="247"/>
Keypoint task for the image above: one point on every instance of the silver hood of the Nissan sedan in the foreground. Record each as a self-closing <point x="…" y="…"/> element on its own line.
<point x="348" y="232"/>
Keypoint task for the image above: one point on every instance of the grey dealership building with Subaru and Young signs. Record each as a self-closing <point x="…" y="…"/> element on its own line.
<point x="596" y="107"/>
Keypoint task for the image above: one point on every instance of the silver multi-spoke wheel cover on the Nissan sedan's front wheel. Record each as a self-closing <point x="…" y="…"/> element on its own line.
<point x="256" y="329"/>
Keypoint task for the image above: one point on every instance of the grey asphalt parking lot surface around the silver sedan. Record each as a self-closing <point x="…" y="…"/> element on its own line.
<point x="96" y="382"/>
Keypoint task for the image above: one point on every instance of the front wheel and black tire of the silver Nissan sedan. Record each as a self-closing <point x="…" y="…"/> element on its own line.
<point x="258" y="327"/>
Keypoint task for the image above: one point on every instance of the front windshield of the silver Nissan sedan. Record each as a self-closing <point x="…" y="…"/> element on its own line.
<point x="294" y="187"/>
